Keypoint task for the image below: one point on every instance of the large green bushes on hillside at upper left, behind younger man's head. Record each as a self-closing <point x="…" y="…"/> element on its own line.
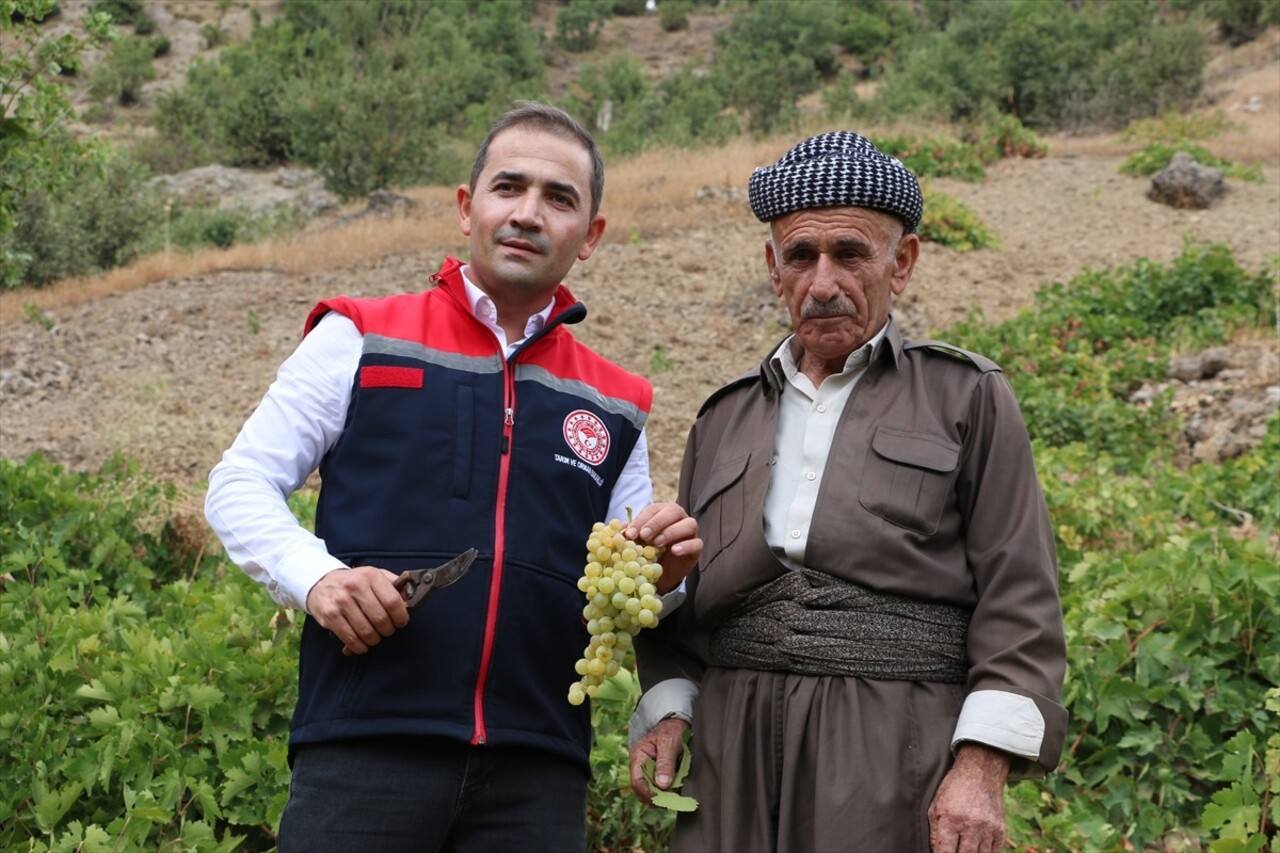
<point x="372" y="95"/>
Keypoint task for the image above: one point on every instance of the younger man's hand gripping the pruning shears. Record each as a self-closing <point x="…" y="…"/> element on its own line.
<point x="359" y="606"/>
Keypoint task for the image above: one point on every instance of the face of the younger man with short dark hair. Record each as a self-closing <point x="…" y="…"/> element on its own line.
<point x="529" y="218"/>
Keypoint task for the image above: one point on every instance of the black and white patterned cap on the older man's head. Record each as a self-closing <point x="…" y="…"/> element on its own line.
<point x="836" y="170"/>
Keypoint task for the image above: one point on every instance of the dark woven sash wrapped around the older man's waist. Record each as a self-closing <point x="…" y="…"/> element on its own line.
<point x="813" y="624"/>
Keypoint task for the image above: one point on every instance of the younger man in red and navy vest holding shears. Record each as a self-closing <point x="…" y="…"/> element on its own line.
<point x="445" y="421"/>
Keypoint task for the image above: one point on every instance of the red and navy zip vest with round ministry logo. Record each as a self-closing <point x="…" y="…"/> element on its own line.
<point x="447" y="446"/>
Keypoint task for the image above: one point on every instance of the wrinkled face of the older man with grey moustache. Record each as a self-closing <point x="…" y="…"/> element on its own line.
<point x="839" y="270"/>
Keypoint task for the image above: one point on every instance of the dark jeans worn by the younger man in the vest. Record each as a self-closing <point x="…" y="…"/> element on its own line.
<point x="432" y="796"/>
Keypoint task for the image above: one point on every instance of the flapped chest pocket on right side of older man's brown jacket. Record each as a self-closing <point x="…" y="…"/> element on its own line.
<point x="909" y="478"/>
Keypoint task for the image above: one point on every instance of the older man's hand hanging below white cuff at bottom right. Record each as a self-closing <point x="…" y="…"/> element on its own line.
<point x="968" y="813"/>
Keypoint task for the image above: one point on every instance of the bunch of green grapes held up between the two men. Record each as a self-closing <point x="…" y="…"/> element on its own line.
<point x="620" y="585"/>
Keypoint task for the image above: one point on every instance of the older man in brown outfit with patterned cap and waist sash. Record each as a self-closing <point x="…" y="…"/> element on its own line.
<point x="872" y="644"/>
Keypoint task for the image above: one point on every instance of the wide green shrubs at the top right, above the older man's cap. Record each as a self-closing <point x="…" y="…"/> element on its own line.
<point x="1052" y="65"/>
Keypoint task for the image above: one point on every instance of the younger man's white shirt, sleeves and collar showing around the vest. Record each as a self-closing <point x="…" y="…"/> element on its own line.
<point x="301" y="417"/>
